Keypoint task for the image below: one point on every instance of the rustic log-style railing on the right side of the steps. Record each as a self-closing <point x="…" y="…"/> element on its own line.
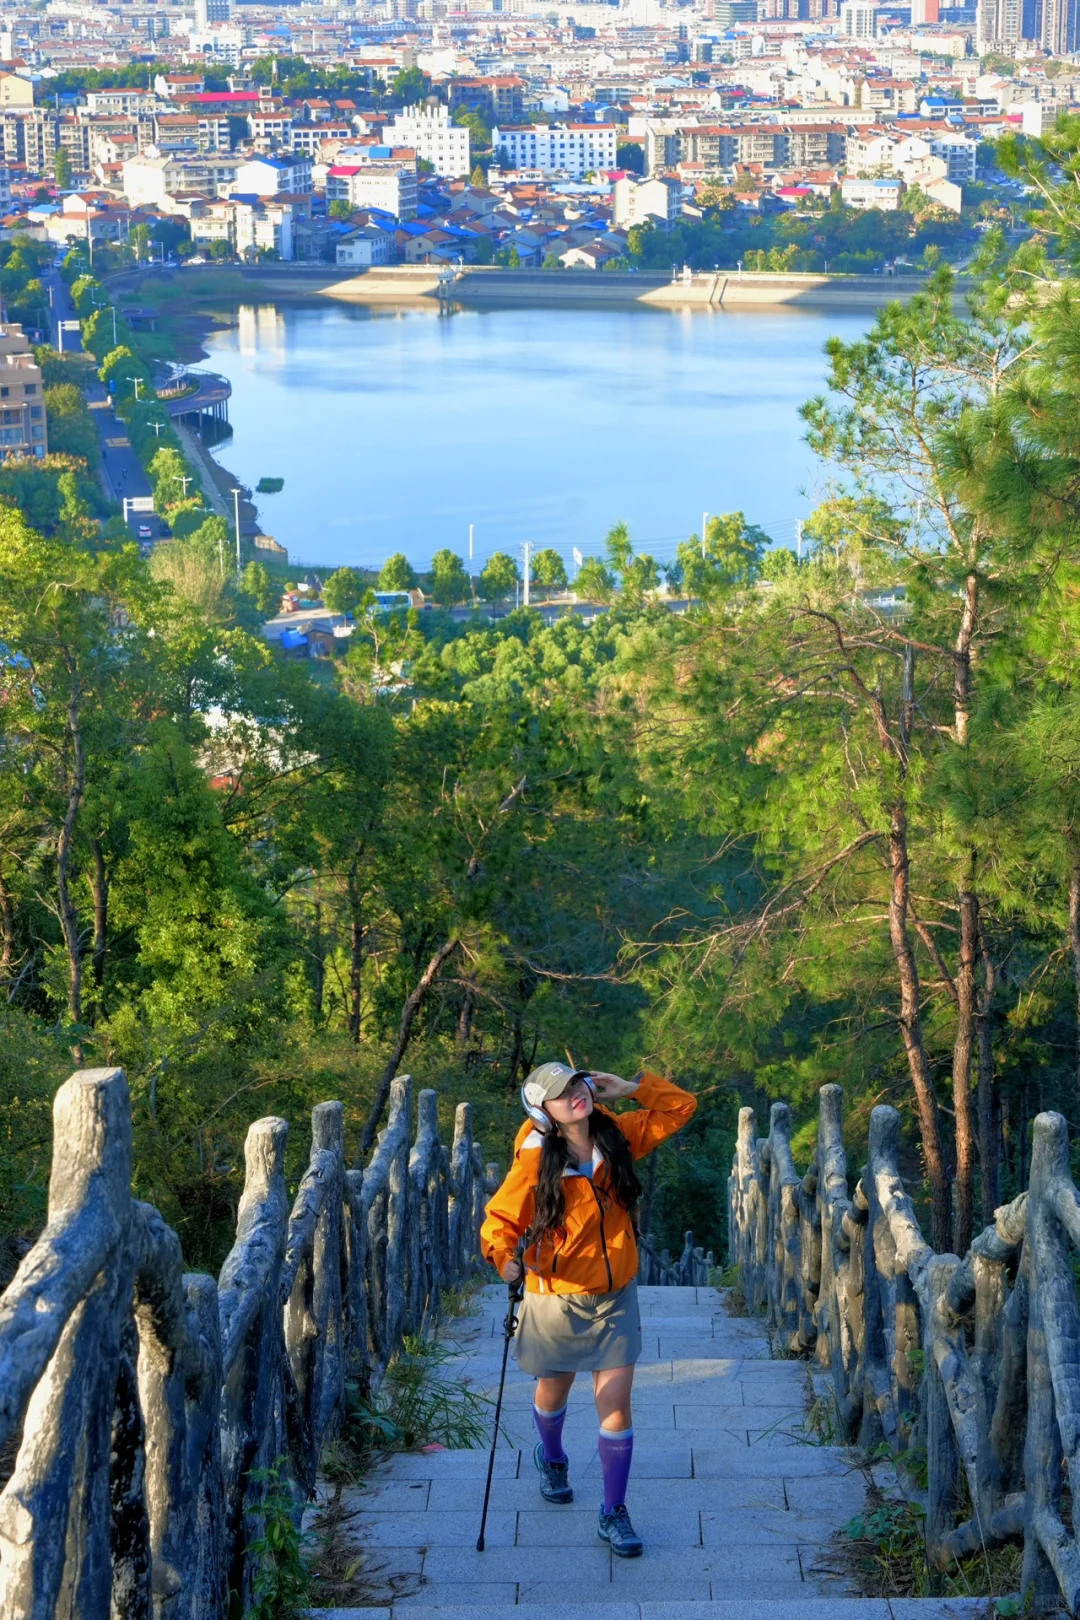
<point x="967" y="1370"/>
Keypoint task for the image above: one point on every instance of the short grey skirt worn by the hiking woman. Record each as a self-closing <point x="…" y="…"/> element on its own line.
<point x="579" y="1332"/>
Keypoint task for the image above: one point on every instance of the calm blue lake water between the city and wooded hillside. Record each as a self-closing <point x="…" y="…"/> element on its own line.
<point x="394" y="430"/>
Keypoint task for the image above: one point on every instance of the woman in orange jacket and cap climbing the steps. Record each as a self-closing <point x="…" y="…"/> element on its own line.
<point x="572" y="1195"/>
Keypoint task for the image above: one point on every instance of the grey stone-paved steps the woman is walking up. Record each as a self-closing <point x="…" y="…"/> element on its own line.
<point x="736" y="1496"/>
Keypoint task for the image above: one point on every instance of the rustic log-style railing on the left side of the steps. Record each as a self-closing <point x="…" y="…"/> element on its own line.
<point x="147" y="1400"/>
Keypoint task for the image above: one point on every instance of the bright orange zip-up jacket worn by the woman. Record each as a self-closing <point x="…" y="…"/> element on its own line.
<point x="597" y="1251"/>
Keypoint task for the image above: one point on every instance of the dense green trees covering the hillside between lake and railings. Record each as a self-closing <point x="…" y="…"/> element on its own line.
<point x="827" y="827"/>
